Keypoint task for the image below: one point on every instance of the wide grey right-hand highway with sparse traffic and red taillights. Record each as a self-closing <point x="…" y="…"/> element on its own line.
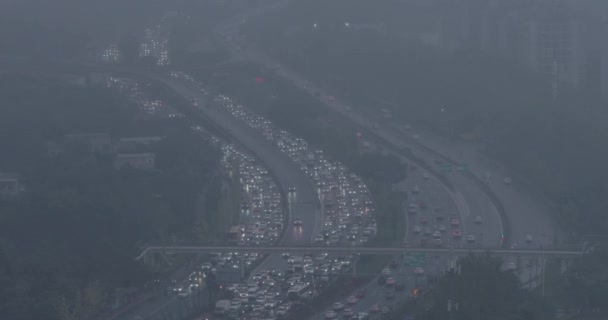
<point x="526" y="214"/>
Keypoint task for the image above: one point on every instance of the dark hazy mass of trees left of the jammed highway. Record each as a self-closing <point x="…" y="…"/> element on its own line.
<point x="70" y="239"/>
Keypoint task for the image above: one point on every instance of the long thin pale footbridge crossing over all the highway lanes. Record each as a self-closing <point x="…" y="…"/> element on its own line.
<point x="358" y="250"/>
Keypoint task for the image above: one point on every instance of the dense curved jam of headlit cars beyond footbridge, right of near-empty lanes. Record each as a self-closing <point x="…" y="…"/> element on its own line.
<point x="347" y="204"/>
